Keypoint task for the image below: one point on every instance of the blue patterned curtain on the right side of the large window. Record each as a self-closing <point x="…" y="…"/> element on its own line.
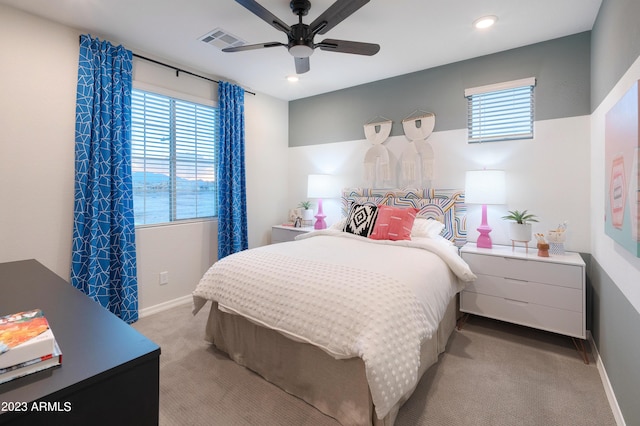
<point x="232" y="200"/>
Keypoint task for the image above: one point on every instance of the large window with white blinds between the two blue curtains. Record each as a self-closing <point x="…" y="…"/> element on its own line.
<point x="172" y="158"/>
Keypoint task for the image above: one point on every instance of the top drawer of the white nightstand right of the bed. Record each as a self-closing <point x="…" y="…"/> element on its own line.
<point x="525" y="270"/>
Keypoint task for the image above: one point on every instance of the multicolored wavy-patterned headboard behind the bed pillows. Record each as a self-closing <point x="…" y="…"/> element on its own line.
<point x="445" y="205"/>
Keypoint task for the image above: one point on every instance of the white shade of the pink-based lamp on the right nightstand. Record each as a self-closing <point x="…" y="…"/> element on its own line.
<point x="485" y="187"/>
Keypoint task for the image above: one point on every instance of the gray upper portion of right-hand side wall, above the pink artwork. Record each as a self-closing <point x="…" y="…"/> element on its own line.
<point x="615" y="45"/>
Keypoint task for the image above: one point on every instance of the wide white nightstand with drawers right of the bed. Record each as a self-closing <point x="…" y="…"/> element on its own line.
<point x="520" y="287"/>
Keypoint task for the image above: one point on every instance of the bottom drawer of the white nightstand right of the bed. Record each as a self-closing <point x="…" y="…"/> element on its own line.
<point x="547" y="318"/>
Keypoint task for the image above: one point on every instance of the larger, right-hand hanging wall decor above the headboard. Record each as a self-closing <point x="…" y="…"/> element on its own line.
<point x="416" y="160"/>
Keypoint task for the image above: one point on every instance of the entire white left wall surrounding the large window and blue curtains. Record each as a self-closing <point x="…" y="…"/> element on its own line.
<point x="37" y="124"/>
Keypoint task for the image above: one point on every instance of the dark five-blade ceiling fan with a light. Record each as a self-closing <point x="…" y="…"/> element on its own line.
<point x="301" y="44"/>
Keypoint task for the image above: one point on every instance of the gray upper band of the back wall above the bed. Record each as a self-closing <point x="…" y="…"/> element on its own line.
<point x="561" y="67"/>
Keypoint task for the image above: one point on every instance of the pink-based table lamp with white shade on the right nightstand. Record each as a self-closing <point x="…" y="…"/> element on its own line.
<point x="485" y="187"/>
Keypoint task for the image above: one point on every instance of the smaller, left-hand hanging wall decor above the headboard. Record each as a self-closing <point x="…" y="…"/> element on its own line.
<point x="377" y="161"/>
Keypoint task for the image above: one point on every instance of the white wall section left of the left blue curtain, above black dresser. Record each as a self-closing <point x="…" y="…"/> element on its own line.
<point x="39" y="63"/>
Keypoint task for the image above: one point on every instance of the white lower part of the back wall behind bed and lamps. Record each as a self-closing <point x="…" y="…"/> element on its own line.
<point x="545" y="175"/>
